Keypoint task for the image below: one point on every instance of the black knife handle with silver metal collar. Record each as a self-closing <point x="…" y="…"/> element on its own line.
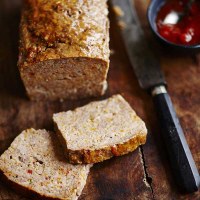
<point x="181" y="160"/>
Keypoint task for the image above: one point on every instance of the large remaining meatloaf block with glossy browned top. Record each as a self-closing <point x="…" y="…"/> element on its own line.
<point x="64" y="48"/>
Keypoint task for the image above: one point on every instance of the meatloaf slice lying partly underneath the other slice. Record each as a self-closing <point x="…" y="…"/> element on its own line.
<point x="35" y="162"/>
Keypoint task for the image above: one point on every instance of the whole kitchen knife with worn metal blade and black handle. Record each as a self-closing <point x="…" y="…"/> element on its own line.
<point x="150" y="77"/>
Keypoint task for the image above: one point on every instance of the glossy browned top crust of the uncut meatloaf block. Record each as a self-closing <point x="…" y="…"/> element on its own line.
<point x="53" y="29"/>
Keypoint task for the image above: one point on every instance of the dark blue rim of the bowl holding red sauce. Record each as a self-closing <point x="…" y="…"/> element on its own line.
<point x="153" y="28"/>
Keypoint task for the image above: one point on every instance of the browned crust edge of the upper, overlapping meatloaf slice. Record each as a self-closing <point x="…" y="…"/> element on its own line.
<point x="94" y="156"/>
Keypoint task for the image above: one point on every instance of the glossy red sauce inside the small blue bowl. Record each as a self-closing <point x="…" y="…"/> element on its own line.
<point x="187" y="30"/>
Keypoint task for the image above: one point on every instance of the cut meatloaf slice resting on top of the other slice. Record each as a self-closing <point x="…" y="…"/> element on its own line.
<point x="100" y="130"/>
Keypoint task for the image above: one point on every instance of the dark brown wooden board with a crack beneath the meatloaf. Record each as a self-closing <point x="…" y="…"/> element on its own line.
<point x="143" y="174"/>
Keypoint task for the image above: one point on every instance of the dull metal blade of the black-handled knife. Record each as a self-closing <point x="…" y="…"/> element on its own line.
<point x="143" y="61"/>
